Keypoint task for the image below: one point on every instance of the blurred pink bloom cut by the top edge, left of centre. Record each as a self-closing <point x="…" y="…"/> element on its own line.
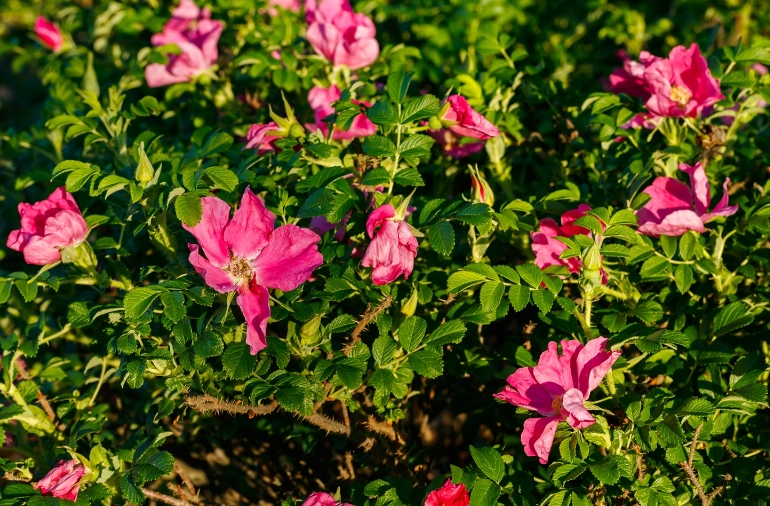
<point x="340" y="35"/>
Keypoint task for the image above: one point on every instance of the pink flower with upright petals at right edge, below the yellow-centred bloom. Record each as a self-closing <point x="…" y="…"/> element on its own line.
<point x="674" y="208"/>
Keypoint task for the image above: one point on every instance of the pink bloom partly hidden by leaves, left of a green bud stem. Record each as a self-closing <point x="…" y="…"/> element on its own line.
<point x="547" y="248"/>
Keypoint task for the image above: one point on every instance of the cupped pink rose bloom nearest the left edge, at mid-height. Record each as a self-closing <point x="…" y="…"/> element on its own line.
<point x="48" y="227"/>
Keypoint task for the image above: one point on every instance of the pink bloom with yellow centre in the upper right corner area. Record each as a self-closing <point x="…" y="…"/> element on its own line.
<point x="682" y="84"/>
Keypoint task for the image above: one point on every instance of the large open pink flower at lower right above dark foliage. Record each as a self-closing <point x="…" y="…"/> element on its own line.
<point x="556" y="388"/>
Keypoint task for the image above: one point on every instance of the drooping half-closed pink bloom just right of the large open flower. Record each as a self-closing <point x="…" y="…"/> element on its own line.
<point x="393" y="248"/>
